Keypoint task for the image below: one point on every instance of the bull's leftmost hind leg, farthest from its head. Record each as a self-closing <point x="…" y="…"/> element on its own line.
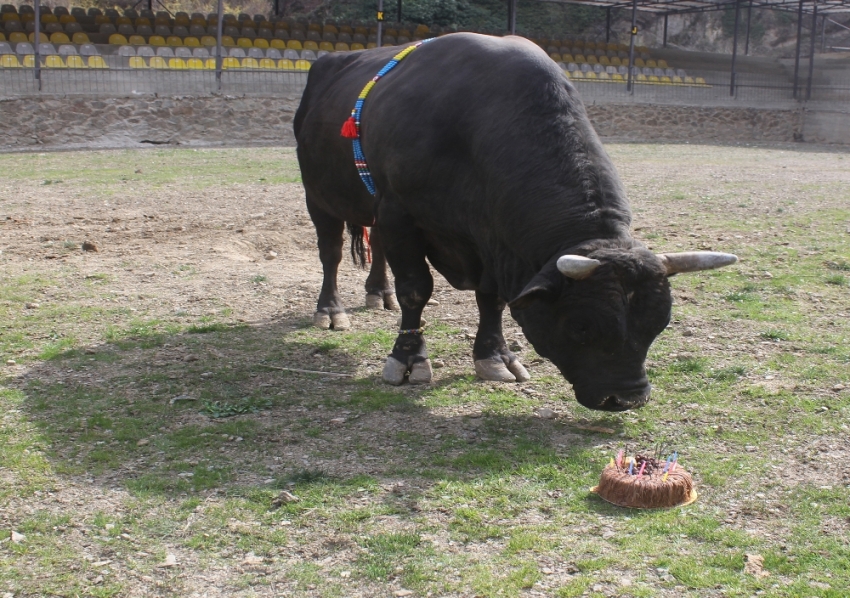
<point x="330" y="312"/>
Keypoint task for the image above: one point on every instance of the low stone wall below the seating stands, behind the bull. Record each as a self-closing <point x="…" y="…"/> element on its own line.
<point x="78" y="122"/>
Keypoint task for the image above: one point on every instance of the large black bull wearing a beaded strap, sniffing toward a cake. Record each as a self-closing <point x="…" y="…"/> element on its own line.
<point x="486" y="166"/>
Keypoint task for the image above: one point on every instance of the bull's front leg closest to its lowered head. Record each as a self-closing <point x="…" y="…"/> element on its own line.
<point x="493" y="361"/>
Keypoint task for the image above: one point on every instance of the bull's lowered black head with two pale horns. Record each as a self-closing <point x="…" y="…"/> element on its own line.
<point x="595" y="317"/>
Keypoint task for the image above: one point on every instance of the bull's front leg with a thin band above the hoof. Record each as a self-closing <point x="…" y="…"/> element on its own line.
<point x="405" y="252"/>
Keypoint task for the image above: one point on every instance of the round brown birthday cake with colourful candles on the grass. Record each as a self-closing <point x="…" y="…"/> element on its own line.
<point x="644" y="482"/>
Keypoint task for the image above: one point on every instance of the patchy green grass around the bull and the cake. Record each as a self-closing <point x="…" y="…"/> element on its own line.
<point x="114" y="449"/>
